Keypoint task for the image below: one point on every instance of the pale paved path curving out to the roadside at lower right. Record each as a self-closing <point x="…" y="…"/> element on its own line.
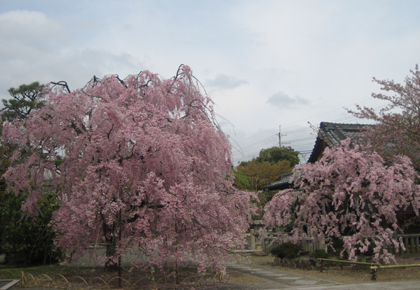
<point x="273" y="279"/>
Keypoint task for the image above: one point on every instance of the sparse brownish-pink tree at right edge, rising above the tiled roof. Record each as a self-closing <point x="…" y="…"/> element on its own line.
<point x="397" y="129"/>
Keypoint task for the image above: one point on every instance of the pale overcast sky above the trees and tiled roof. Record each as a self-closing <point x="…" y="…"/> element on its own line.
<point x="264" y="63"/>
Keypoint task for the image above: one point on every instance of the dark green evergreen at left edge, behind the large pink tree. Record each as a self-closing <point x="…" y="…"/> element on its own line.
<point x="27" y="239"/>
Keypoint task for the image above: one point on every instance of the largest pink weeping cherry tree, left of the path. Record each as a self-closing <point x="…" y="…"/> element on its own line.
<point x="142" y="162"/>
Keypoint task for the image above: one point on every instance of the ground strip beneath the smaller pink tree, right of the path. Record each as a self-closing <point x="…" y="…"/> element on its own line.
<point x="351" y="275"/>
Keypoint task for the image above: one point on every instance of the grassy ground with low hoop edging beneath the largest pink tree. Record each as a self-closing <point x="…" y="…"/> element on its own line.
<point x="96" y="278"/>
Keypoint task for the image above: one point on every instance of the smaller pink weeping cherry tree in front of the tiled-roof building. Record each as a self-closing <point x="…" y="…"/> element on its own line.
<point x="351" y="193"/>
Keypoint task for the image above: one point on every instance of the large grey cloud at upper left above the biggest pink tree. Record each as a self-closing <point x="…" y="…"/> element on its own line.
<point x="39" y="49"/>
